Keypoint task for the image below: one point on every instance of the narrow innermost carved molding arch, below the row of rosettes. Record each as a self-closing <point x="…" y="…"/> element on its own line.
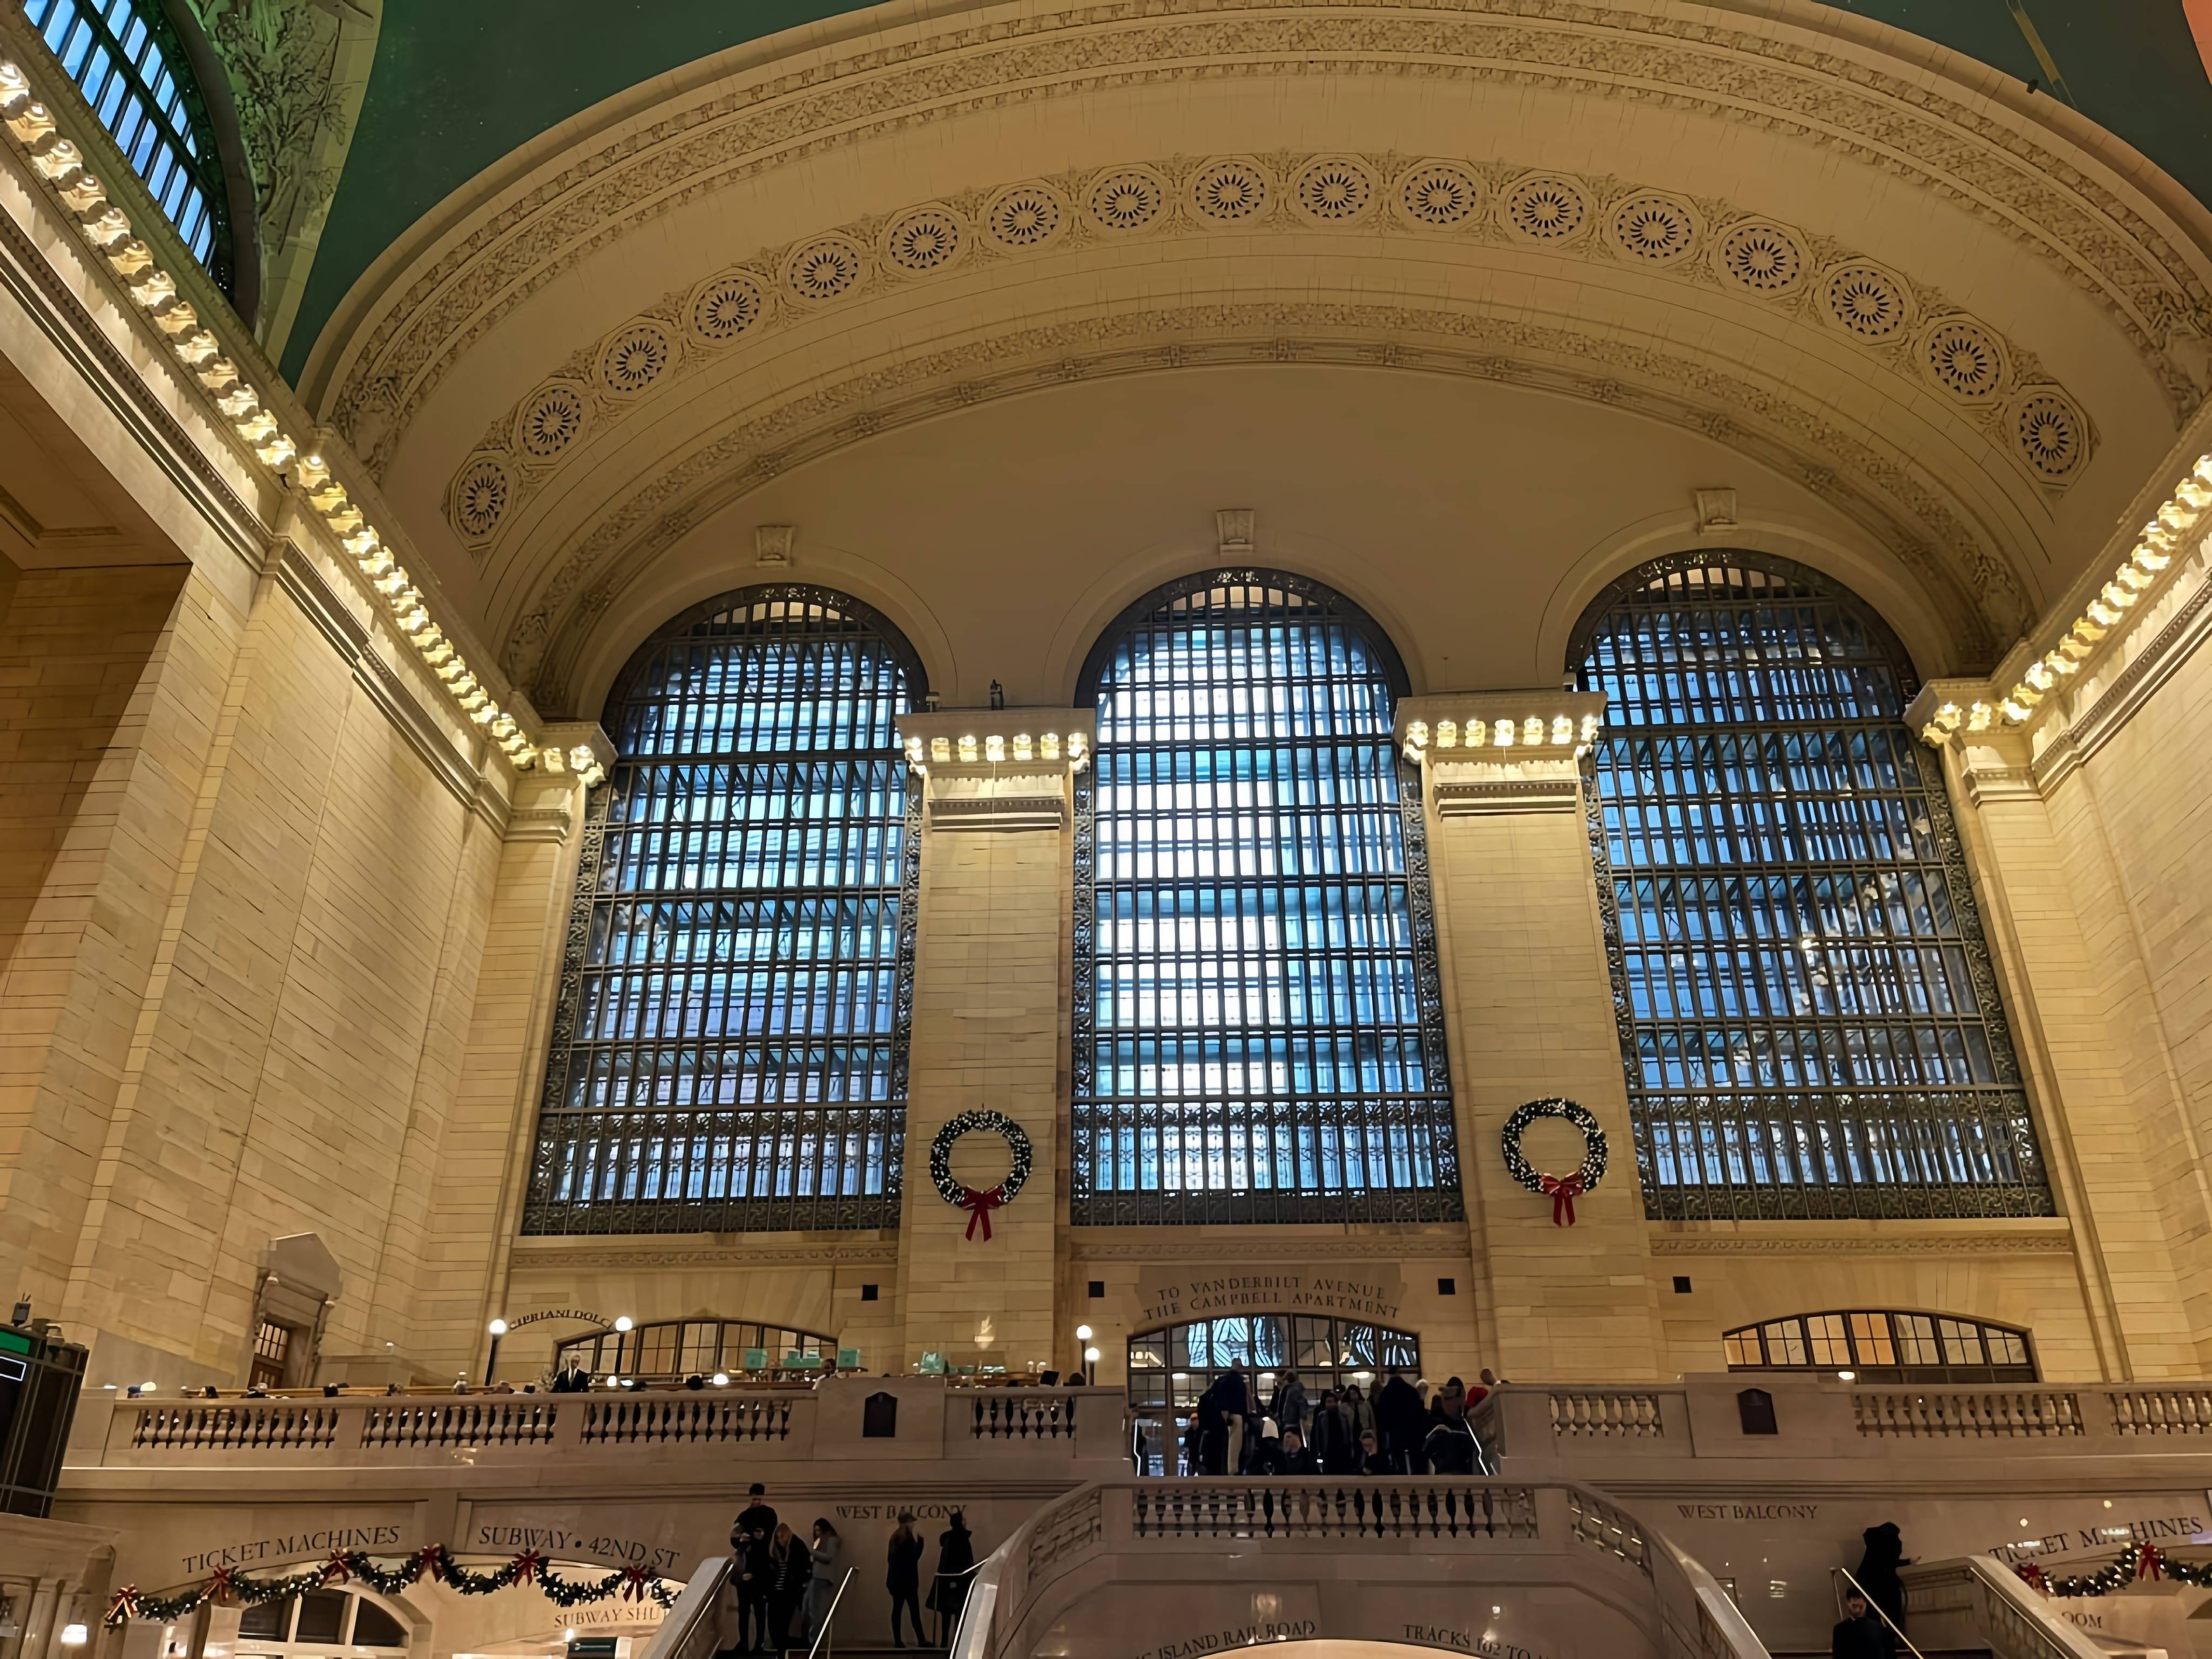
<point x="1877" y="488"/>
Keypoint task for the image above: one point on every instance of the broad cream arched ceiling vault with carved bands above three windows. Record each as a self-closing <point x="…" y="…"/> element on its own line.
<point x="932" y="291"/>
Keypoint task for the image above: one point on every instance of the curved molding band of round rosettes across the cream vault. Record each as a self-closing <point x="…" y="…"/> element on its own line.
<point x="2038" y="424"/>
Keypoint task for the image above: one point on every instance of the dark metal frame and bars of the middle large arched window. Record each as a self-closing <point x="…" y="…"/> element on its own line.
<point x="1092" y="1114"/>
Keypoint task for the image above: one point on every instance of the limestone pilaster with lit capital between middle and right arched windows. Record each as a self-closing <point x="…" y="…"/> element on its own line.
<point x="1530" y="1003"/>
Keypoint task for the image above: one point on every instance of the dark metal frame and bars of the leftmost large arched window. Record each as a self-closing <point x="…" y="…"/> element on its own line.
<point x="629" y="1147"/>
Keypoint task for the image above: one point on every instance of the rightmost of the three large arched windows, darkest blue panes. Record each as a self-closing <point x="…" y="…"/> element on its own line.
<point x="1811" y="1021"/>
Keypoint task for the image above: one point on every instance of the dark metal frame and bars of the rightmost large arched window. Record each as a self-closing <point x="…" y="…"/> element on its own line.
<point x="1811" y="1129"/>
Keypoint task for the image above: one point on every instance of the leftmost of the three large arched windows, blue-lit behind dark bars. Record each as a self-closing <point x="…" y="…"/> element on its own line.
<point x="731" y="1039"/>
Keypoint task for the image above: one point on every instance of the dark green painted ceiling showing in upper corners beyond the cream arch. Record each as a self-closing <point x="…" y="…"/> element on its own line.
<point x="459" y="85"/>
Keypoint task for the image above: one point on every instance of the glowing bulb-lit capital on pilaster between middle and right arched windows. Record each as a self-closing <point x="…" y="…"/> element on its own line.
<point x="1512" y="751"/>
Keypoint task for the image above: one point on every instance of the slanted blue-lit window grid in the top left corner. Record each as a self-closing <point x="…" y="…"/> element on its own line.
<point x="127" y="63"/>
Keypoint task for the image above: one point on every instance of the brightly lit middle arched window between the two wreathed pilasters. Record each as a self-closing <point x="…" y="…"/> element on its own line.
<point x="1258" y="1023"/>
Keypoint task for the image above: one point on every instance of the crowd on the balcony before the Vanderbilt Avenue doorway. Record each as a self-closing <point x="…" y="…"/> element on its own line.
<point x="1410" y="1428"/>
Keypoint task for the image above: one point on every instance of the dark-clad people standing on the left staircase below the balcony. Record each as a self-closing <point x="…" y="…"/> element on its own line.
<point x="784" y="1587"/>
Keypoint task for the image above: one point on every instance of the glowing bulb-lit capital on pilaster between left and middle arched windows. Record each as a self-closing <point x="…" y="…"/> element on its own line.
<point x="999" y="769"/>
